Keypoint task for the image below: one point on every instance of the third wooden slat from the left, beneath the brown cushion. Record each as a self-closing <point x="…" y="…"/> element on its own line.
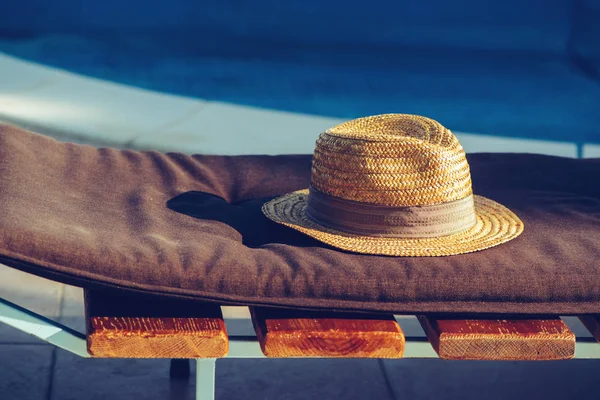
<point x="487" y="339"/>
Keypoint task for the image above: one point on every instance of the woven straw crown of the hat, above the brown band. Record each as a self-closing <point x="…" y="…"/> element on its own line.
<point x="391" y="159"/>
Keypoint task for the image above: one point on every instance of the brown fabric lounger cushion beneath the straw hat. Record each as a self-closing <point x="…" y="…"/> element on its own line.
<point x="191" y="226"/>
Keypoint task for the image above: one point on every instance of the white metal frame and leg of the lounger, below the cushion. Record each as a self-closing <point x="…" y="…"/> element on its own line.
<point x="239" y="346"/>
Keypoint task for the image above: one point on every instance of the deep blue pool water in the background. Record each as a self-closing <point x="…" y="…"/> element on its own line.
<point x="494" y="68"/>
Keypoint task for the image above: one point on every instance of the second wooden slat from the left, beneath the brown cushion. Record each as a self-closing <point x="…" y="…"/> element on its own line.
<point x="289" y="333"/>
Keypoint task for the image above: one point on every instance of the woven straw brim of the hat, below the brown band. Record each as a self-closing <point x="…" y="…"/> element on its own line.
<point x="495" y="225"/>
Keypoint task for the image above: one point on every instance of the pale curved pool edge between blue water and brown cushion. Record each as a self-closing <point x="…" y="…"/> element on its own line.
<point x="77" y="108"/>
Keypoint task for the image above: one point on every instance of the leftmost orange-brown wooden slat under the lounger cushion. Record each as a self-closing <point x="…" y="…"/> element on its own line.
<point x="153" y="327"/>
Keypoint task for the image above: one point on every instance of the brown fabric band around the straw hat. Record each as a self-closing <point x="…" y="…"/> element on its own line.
<point x="386" y="221"/>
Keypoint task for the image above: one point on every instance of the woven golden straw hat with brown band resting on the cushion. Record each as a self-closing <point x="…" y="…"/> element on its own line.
<point x="394" y="184"/>
